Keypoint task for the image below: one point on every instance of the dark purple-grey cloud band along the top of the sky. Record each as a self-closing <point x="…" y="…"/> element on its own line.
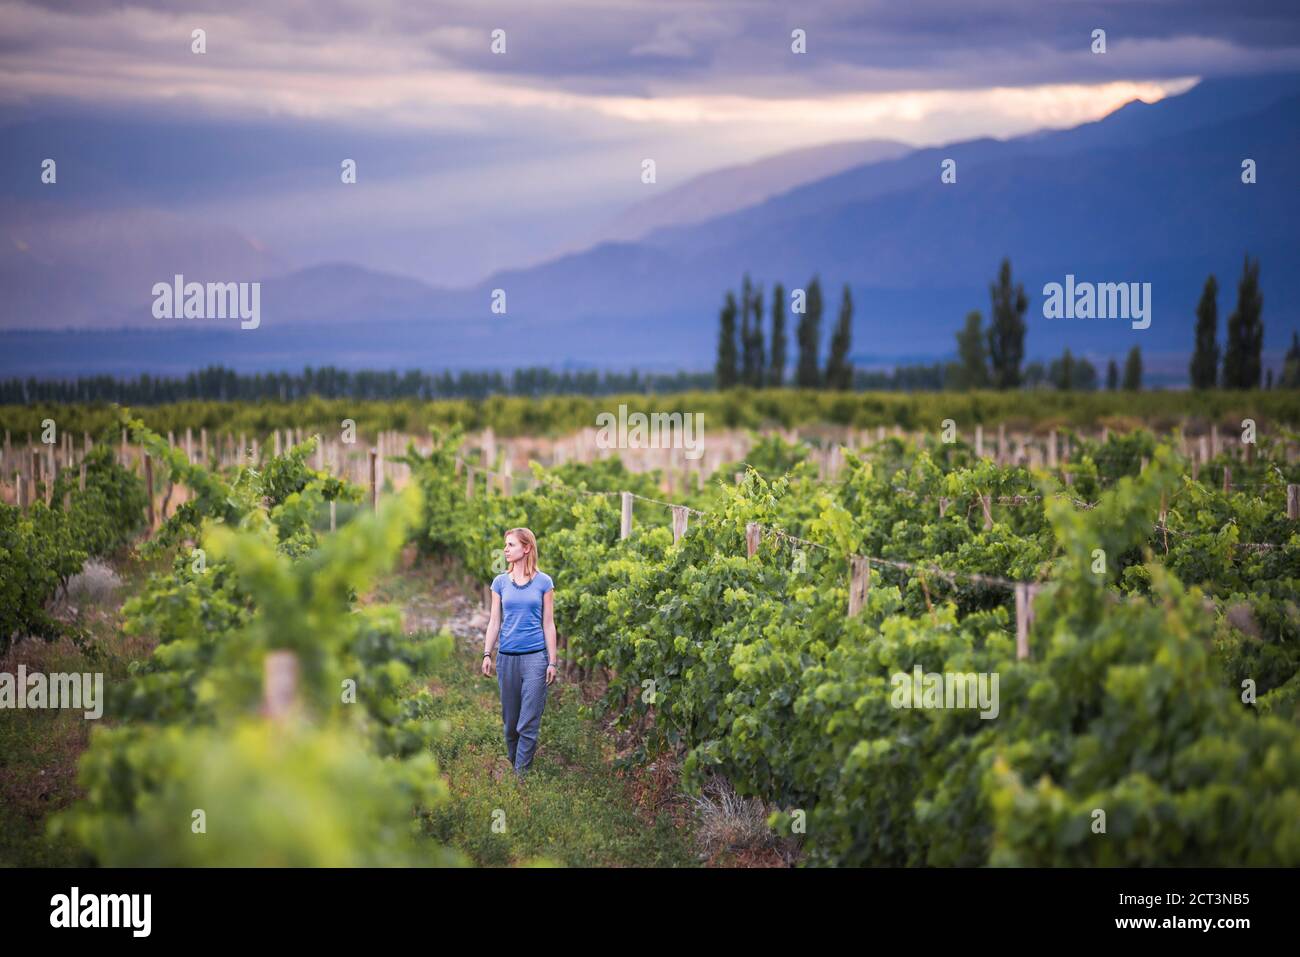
<point x="630" y="47"/>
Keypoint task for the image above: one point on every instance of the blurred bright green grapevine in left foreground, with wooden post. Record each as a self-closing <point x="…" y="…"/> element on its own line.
<point x="339" y="780"/>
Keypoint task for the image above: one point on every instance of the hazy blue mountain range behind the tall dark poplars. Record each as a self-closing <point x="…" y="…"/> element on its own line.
<point x="1152" y="193"/>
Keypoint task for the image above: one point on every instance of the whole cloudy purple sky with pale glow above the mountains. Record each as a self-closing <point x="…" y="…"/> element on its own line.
<point x="474" y="161"/>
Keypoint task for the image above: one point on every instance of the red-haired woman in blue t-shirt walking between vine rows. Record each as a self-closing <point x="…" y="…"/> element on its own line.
<point x="523" y="617"/>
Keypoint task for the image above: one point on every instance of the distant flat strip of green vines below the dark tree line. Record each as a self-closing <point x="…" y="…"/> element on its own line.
<point x="731" y="409"/>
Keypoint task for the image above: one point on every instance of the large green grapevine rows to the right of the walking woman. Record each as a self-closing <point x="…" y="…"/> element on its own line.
<point x="1130" y="703"/>
